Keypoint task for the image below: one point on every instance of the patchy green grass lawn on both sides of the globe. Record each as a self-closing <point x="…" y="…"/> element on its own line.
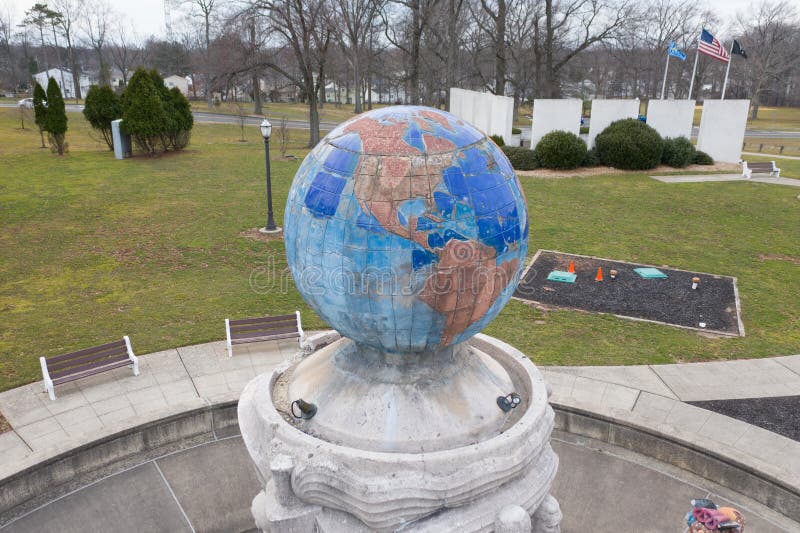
<point x="93" y="248"/>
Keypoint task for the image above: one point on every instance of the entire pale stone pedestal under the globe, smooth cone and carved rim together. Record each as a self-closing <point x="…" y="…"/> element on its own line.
<point x="323" y="475"/>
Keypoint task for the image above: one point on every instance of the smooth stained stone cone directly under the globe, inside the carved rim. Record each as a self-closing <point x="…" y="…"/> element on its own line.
<point x="414" y="402"/>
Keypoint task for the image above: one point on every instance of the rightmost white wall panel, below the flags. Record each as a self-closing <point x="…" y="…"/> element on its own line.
<point x="722" y="129"/>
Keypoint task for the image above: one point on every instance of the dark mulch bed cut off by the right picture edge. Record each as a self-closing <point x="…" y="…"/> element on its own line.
<point x="778" y="414"/>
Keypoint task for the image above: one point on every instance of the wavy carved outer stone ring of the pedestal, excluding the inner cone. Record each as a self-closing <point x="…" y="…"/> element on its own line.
<point x="484" y="486"/>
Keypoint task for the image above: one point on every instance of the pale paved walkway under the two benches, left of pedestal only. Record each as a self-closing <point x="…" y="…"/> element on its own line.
<point x="169" y="382"/>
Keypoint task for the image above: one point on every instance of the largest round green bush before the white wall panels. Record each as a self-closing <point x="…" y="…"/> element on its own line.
<point x="629" y="144"/>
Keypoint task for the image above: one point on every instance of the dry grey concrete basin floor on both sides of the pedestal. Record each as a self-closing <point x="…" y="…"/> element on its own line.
<point x="209" y="488"/>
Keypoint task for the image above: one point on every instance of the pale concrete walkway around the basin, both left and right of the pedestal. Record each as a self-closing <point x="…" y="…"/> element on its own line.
<point x="177" y="380"/>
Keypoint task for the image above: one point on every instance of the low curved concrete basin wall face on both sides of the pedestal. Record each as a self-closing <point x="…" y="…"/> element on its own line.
<point x="35" y="485"/>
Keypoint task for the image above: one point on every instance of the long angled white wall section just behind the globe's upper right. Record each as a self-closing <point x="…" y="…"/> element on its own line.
<point x="492" y="114"/>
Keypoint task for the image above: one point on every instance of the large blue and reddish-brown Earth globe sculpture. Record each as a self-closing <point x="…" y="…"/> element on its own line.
<point x="406" y="229"/>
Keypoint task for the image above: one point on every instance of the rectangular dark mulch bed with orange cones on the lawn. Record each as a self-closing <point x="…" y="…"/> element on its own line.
<point x="669" y="300"/>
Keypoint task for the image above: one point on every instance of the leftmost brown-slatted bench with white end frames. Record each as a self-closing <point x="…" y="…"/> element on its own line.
<point x="60" y="369"/>
